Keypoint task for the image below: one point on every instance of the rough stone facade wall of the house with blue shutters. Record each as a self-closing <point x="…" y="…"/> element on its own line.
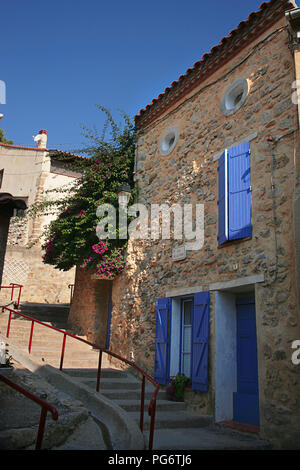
<point x="188" y="175"/>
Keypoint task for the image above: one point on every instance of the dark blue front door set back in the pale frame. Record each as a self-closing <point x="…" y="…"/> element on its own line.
<point x="246" y="399"/>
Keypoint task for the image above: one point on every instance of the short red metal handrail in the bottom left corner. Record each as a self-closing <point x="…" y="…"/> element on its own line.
<point x="44" y="404"/>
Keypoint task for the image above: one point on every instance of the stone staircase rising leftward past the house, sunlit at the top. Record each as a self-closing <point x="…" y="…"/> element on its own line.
<point x="175" y="426"/>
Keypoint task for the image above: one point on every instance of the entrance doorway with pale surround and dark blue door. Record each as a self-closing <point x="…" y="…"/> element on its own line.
<point x="236" y="364"/>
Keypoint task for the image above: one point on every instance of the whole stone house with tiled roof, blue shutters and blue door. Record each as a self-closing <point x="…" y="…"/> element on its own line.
<point x="224" y="136"/>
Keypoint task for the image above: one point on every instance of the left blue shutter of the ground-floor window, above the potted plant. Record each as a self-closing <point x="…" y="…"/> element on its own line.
<point x="161" y="341"/>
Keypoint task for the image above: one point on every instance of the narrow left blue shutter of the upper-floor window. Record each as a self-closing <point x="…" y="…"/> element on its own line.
<point x="222" y="202"/>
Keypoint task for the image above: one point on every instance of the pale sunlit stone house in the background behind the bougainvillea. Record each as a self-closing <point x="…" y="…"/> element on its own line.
<point x="27" y="173"/>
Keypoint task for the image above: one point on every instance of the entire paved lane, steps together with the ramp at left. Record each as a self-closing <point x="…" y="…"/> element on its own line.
<point x="89" y="420"/>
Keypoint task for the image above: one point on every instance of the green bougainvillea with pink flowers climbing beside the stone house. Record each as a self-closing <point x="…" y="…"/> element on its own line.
<point x="71" y="238"/>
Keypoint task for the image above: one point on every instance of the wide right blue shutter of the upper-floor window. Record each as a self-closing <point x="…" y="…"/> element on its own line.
<point x="239" y="192"/>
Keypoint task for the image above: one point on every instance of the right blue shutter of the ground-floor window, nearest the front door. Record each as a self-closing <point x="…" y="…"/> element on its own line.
<point x="200" y="336"/>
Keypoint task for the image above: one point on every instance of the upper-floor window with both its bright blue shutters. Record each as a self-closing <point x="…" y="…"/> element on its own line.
<point x="234" y="202"/>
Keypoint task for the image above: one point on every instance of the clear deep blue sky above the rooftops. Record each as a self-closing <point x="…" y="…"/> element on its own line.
<point x="60" y="58"/>
